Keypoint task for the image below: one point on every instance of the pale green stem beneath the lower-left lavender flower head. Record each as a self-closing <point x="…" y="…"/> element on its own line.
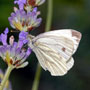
<point x="2" y="85"/>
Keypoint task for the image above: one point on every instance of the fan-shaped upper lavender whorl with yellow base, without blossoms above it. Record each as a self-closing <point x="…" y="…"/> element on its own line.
<point x="25" y="21"/>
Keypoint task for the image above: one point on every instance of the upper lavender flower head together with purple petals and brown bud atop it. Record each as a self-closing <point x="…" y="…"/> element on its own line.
<point x="26" y="17"/>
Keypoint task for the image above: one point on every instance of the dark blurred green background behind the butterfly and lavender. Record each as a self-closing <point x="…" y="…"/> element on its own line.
<point x="71" y="14"/>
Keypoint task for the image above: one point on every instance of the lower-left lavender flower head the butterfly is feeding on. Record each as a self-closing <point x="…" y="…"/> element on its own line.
<point x="15" y="53"/>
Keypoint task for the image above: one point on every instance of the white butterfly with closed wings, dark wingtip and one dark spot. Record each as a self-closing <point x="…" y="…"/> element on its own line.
<point x="54" y="50"/>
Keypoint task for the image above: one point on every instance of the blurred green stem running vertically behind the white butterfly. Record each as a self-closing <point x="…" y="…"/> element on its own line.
<point x="48" y="26"/>
